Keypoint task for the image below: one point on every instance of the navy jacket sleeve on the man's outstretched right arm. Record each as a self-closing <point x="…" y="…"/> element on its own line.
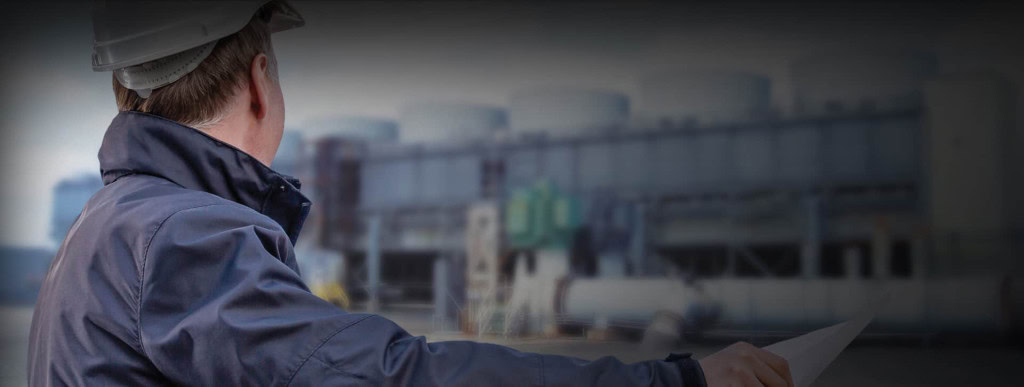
<point x="222" y="305"/>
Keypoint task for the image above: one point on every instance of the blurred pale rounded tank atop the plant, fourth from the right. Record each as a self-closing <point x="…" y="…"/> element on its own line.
<point x="450" y="122"/>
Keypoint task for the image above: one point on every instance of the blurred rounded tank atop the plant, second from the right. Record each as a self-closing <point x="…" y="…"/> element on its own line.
<point x="705" y="97"/>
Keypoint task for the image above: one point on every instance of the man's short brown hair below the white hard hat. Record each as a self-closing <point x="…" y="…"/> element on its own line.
<point x="200" y="99"/>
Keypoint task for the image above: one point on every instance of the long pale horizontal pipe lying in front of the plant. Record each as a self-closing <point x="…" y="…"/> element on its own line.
<point x="972" y="305"/>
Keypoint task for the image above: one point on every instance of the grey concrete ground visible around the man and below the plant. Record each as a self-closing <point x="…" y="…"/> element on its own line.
<point x="861" y="365"/>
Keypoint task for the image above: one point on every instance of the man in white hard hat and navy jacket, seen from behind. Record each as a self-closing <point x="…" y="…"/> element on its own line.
<point x="182" y="270"/>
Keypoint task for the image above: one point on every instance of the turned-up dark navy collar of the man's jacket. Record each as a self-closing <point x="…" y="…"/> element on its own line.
<point x="142" y="144"/>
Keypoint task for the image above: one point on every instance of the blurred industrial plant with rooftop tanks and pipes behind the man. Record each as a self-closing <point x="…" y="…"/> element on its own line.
<point x="697" y="207"/>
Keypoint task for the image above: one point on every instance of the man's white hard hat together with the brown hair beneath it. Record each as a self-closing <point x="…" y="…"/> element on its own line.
<point x="185" y="61"/>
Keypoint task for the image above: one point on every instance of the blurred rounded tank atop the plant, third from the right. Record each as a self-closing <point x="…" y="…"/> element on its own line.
<point x="567" y="112"/>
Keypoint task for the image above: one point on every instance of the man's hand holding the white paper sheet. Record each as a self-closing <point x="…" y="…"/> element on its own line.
<point x="745" y="365"/>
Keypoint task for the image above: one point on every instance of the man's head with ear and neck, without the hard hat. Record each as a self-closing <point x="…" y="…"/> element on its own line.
<point x="233" y="95"/>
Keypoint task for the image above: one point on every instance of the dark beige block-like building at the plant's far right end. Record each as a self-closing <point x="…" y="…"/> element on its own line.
<point x="975" y="176"/>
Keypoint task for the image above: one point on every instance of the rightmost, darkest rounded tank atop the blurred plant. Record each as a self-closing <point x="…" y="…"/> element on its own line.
<point x="858" y="81"/>
